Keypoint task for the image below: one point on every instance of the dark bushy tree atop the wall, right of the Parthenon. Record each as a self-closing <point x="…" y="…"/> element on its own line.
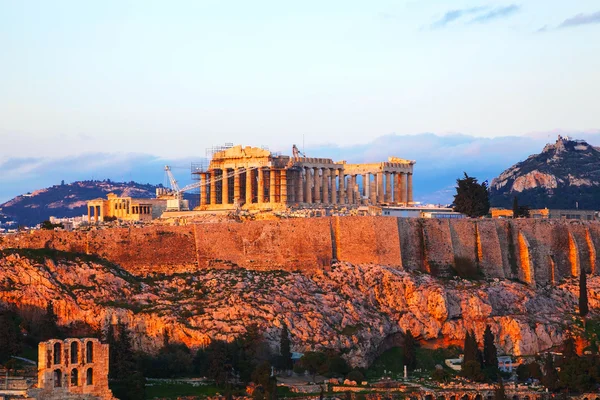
<point x="471" y="197"/>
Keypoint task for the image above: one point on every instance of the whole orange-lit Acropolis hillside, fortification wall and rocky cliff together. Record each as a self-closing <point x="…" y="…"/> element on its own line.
<point x="353" y="283"/>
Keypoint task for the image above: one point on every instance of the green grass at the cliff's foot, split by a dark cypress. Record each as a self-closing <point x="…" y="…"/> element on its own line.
<point x="392" y="361"/>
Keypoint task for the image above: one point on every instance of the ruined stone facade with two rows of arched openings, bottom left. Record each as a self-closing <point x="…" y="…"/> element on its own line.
<point x="71" y="367"/>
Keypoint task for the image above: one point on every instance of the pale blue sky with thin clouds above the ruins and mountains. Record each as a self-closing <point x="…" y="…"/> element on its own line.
<point x="88" y="87"/>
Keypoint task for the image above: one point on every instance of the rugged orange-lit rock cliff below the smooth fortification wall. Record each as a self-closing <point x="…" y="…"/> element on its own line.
<point x="359" y="308"/>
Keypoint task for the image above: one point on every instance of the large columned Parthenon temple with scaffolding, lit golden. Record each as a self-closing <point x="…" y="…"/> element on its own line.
<point x="251" y="177"/>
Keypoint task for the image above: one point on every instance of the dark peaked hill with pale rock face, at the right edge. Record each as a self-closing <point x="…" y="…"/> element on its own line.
<point x="565" y="174"/>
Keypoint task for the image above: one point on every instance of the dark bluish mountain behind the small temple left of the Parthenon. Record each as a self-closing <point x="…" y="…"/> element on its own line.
<point x="67" y="200"/>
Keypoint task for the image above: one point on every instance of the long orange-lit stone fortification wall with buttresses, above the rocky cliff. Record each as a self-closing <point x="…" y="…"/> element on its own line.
<point x="534" y="251"/>
